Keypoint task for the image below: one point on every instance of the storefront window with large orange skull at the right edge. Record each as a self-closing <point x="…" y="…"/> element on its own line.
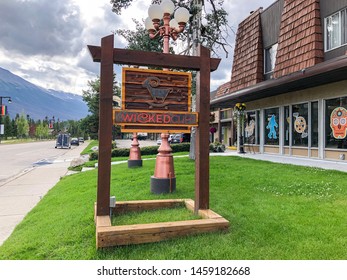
<point x="336" y="123"/>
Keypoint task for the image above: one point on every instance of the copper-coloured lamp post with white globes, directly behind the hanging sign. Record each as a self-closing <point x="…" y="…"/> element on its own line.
<point x="164" y="179"/>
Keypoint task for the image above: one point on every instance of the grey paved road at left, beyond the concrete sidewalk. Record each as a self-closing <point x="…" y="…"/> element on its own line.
<point x="19" y="158"/>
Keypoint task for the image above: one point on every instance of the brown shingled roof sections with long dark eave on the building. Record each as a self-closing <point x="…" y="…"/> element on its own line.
<point x="299" y="61"/>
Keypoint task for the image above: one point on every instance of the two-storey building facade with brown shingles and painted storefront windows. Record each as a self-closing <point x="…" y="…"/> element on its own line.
<point x="290" y="69"/>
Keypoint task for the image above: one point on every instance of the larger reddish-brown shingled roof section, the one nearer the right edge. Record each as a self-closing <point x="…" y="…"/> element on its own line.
<point x="300" y="43"/>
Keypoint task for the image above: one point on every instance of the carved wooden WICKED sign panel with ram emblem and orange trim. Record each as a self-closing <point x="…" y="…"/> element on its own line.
<point x="155" y="101"/>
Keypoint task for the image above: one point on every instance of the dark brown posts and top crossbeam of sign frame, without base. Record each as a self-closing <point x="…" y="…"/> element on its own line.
<point x="202" y="63"/>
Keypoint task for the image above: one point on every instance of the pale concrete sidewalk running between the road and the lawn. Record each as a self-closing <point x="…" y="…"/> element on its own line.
<point x="22" y="192"/>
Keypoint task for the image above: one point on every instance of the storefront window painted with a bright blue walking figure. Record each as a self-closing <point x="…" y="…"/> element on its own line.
<point x="271" y="135"/>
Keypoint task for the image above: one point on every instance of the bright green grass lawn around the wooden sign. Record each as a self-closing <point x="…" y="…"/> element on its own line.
<point x="275" y="212"/>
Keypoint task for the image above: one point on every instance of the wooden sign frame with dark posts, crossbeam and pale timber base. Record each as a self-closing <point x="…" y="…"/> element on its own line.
<point x="108" y="235"/>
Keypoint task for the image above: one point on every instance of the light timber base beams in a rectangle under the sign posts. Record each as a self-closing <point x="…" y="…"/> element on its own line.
<point x="107" y="235"/>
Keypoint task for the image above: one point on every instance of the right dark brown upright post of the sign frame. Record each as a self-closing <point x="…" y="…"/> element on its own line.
<point x="202" y="164"/>
